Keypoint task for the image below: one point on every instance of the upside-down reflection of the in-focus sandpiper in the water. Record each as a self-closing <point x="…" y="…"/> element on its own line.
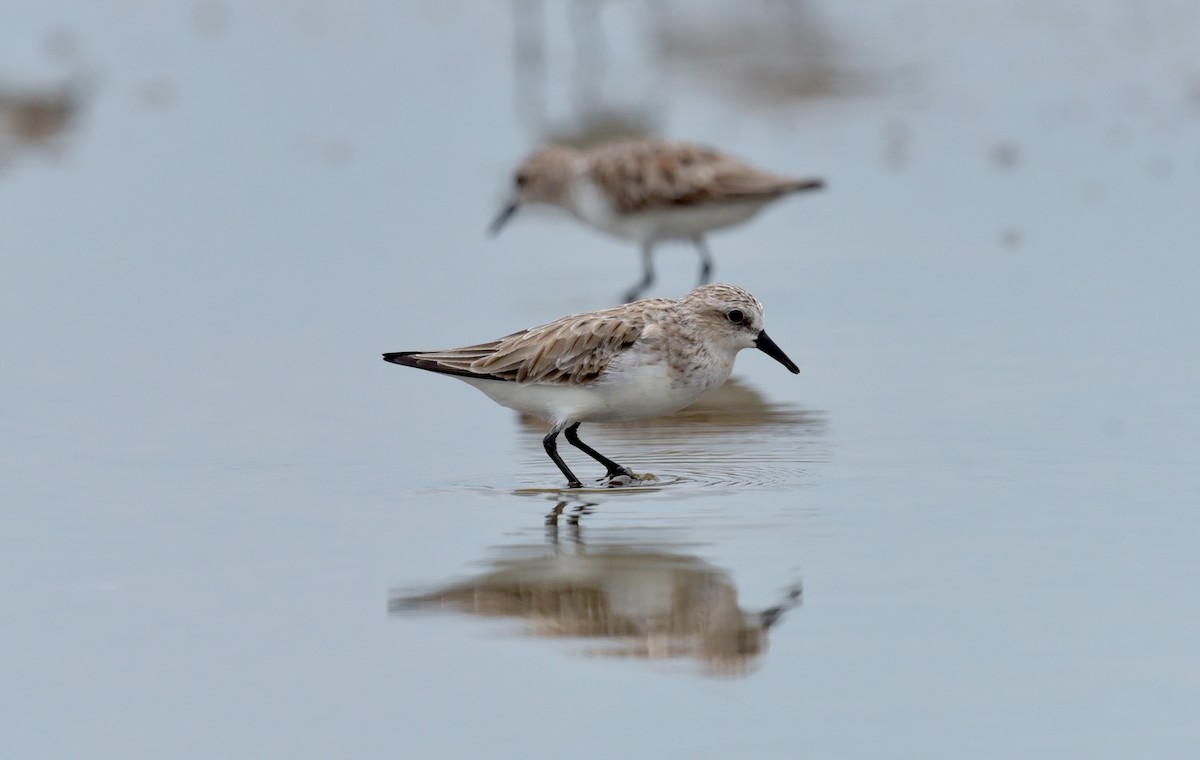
<point x="647" y="603"/>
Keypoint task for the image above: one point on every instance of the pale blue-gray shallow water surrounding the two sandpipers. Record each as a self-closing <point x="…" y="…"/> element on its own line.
<point x="986" y="477"/>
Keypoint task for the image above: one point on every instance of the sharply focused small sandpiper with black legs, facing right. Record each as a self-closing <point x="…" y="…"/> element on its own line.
<point x="644" y="360"/>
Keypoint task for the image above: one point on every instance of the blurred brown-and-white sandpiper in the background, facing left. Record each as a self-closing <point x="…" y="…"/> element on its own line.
<point x="650" y="192"/>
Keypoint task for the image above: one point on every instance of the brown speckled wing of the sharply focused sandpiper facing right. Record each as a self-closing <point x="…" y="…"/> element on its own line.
<point x="571" y="351"/>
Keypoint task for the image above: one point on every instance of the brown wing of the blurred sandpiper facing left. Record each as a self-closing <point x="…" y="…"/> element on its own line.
<point x="647" y="176"/>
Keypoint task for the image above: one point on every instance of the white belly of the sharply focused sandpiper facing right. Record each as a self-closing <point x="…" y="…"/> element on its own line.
<point x="635" y="393"/>
